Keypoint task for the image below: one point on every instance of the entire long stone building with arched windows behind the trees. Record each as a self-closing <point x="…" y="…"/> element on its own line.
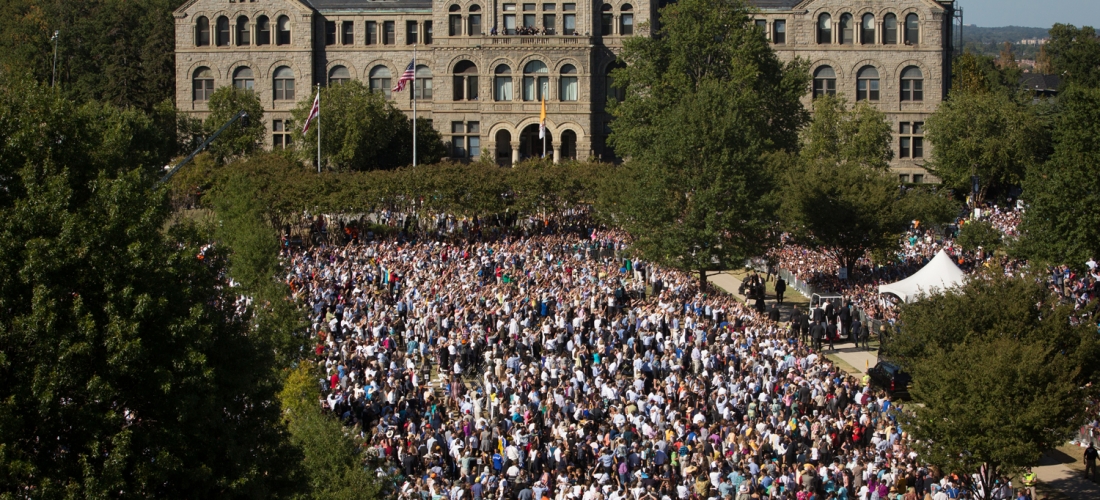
<point x="485" y="66"/>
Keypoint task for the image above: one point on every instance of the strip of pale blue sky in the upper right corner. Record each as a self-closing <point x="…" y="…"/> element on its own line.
<point x="1031" y="14"/>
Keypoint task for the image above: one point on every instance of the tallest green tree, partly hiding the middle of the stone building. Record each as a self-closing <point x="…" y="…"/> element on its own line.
<point x="706" y="99"/>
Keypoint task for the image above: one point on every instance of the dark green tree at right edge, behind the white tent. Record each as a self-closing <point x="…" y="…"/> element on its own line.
<point x="1062" y="224"/>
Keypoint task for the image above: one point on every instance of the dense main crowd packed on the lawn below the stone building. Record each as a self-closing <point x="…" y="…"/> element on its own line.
<point x="535" y="361"/>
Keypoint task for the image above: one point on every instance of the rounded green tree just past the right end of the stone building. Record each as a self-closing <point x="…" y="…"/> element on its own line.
<point x="985" y="135"/>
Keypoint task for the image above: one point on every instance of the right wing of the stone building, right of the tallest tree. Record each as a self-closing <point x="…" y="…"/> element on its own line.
<point x="917" y="50"/>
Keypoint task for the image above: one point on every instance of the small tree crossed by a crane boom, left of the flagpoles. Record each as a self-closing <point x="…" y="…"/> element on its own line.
<point x="244" y="138"/>
